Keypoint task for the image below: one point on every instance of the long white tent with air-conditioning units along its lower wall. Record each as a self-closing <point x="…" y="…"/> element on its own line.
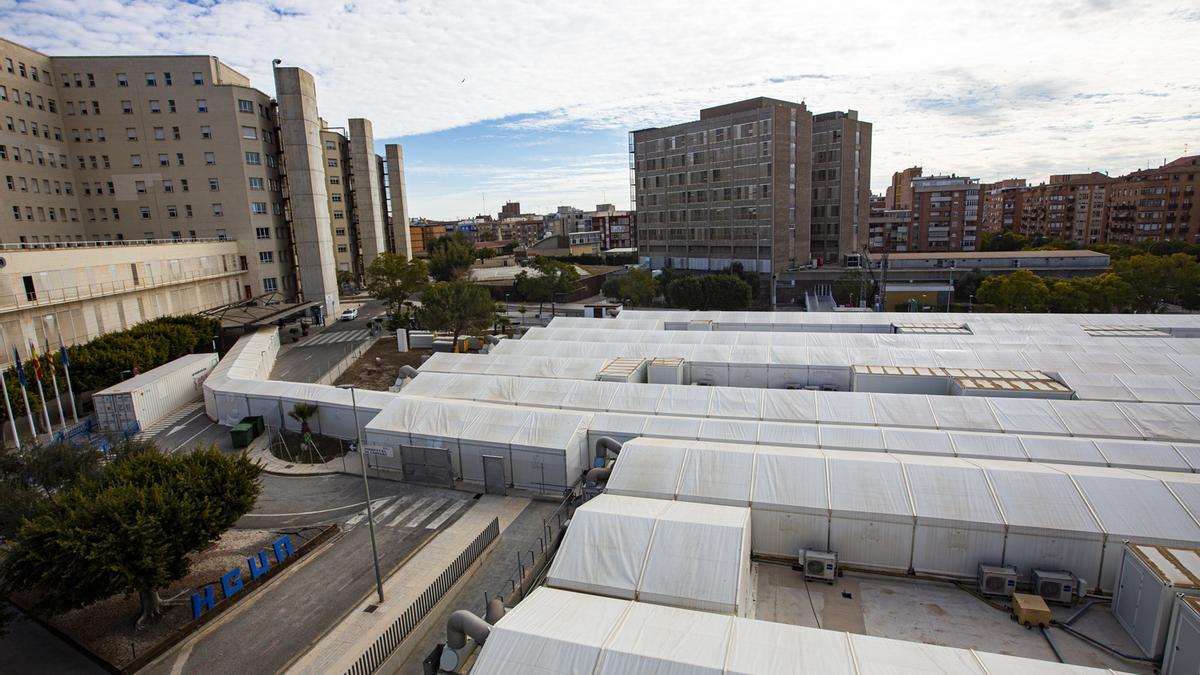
<point x="937" y="516"/>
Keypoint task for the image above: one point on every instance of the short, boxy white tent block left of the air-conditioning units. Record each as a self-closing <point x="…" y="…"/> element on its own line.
<point x="689" y="555"/>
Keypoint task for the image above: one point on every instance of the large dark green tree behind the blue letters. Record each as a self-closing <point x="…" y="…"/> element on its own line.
<point x="131" y="530"/>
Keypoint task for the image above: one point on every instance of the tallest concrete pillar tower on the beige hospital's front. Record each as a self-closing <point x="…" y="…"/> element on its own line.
<point x="308" y="196"/>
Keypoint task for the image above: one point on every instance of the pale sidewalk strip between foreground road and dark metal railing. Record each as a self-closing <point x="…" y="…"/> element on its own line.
<point x="338" y="650"/>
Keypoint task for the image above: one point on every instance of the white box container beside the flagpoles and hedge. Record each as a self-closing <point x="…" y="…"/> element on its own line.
<point x="154" y="395"/>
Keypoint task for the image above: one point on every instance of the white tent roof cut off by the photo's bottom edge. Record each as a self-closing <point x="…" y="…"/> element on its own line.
<point x="556" y="632"/>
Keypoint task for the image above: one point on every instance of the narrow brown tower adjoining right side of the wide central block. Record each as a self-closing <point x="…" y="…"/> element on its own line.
<point x="842" y="184"/>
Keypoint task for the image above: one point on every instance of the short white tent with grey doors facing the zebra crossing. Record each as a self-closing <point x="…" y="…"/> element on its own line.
<point x="541" y="449"/>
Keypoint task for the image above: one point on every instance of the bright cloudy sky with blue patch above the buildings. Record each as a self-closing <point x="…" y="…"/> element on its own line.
<point x="533" y="101"/>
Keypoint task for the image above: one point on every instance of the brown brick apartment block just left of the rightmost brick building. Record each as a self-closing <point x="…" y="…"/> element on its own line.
<point x="1070" y="207"/>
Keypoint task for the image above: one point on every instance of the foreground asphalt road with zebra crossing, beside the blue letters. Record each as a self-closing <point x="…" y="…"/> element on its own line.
<point x="267" y="631"/>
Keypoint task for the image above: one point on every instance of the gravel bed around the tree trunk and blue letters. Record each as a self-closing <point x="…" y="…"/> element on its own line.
<point x="107" y="628"/>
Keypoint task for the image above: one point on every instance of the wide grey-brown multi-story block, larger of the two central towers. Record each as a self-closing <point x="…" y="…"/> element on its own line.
<point x="730" y="188"/>
